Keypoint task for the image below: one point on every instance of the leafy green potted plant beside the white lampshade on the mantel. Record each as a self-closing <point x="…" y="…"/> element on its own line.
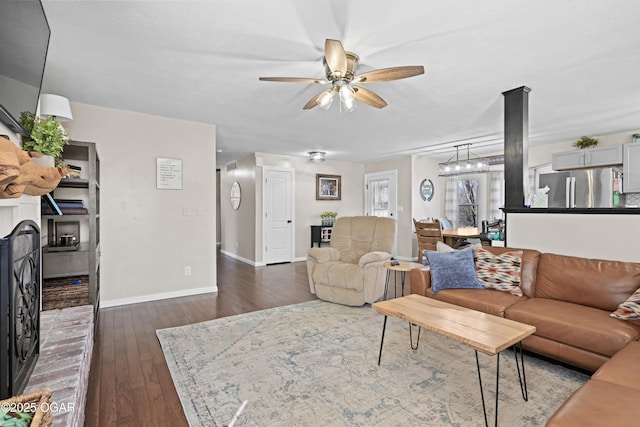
<point x="45" y="136"/>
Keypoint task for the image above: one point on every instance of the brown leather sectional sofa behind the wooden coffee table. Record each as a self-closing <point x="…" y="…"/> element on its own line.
<point x="569" y="300"/>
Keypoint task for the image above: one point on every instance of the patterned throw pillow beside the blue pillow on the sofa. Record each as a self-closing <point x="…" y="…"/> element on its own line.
<point x="500" y="272"/>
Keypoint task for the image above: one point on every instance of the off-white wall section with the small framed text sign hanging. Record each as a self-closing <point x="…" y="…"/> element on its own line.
<point x="148" y="235"/>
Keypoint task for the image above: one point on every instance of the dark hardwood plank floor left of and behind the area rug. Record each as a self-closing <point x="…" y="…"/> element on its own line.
<point x="129" y="382"/>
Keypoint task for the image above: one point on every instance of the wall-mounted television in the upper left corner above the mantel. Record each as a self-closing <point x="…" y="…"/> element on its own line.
<point x="24" y="41"/>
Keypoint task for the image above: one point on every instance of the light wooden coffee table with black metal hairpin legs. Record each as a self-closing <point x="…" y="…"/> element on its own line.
<point x="483" y="332"/>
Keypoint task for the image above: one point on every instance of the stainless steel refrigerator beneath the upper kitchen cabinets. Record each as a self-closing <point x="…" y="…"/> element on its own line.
<point x="583" y="188"/>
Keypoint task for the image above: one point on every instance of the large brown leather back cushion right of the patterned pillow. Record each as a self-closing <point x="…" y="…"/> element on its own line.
<point x="590" y="282"/>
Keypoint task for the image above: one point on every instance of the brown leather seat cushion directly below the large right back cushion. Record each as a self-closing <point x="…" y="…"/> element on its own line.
<point x="577" y="325"/>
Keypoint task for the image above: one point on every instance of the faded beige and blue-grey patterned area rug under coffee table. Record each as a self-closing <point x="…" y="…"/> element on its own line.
<point x="315" y="364"/>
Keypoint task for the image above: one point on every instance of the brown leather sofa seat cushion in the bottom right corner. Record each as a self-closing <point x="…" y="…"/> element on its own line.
<point x="598" y="403"/>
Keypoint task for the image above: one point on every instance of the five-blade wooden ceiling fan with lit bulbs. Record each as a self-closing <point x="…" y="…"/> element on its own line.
<point x="340" y="70"/>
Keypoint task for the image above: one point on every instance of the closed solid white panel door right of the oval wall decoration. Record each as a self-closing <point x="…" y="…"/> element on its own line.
<point x="278" y="215"/>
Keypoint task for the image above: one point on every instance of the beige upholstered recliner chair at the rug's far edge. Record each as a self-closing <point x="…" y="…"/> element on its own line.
<point x="351" y="270"/>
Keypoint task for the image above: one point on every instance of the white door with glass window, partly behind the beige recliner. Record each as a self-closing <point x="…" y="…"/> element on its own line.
<point x="380" y="195"/>
